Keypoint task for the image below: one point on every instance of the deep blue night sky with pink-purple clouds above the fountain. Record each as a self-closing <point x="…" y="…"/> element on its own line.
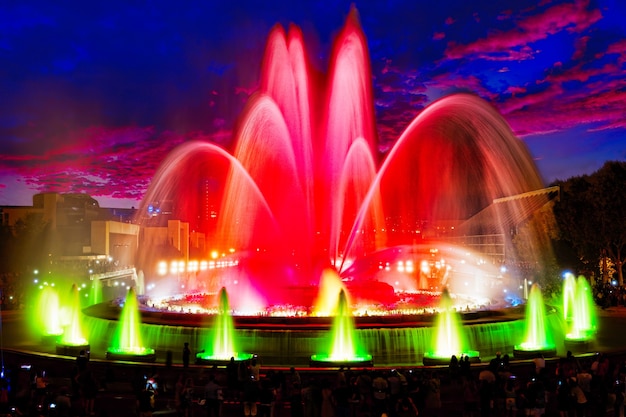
<point x="93" y="95"/>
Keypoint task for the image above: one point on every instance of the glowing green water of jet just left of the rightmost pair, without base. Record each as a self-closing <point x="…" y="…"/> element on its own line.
<point x="536" y="336"/>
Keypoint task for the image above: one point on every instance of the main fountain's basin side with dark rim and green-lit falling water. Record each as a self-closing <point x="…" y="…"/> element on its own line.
<point x="290" y="341"/>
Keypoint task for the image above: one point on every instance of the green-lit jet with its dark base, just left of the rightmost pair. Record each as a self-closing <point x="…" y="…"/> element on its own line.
<point x="537" y="339"/>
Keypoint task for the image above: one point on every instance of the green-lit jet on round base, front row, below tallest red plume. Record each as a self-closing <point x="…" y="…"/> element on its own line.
<point x="344" y="349"/>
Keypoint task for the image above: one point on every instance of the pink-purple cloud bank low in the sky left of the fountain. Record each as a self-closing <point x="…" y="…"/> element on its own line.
<point x="100" y="161"/>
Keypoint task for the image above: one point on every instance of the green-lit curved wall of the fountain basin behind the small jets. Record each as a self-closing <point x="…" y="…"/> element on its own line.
<point x="388" y="346"/>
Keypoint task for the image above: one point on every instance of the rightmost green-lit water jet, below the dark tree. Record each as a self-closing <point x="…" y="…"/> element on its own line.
<point x="582" y="322"/>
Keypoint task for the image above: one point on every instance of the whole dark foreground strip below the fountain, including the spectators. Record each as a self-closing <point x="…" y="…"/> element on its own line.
<point x="278" y="392"/>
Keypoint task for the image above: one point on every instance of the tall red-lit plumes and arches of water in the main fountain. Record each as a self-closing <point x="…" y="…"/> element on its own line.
<point x="305" y="188"/>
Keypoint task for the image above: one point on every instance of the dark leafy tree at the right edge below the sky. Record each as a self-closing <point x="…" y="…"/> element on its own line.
<point x="591" y="215"/>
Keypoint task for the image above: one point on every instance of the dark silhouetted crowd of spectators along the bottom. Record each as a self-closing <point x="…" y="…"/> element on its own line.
<point x="571" y="386"/>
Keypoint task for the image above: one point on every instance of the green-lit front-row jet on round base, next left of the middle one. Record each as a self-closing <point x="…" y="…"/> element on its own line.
<point x="222" y="341"/>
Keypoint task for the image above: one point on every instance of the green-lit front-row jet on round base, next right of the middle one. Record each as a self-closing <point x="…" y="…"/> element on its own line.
<point x="448" y="337"/>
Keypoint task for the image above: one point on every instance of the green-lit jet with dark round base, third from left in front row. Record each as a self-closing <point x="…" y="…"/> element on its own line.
<point x="127" y="343"/>
